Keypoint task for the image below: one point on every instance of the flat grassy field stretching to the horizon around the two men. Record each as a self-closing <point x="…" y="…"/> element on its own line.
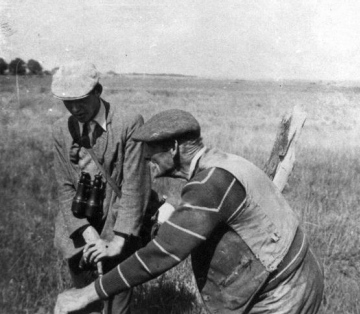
<point x="237" y="116"/>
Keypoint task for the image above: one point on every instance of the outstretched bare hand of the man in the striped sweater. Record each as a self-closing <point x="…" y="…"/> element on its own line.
<point x="75" y="299"/>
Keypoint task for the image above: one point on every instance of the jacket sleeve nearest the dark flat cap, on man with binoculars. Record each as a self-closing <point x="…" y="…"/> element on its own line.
<point x="135" y="184"/>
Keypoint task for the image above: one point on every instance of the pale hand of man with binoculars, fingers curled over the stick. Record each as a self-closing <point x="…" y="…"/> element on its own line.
<point x="94" y="252"/>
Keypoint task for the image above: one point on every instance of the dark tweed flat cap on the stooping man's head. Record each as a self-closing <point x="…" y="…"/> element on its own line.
<point x="168" y="124"/>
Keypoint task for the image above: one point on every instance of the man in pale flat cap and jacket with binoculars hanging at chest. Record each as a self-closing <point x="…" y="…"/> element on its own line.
<point x="97" y="135"/>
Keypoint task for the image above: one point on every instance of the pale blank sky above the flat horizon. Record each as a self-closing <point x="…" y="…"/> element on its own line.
<point x="245" y="39"/>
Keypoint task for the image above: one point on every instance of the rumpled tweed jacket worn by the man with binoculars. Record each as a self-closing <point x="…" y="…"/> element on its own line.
<point x="121" y="157"/>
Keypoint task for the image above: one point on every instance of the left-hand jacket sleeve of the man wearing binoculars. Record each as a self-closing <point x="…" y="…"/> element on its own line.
<point x="66" y="188"/>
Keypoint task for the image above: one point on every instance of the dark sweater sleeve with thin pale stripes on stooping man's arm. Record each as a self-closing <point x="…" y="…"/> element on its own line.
<point x="210" y="199"/>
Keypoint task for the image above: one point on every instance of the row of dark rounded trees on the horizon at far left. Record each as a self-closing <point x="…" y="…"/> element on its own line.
<point x="20" y="67"/>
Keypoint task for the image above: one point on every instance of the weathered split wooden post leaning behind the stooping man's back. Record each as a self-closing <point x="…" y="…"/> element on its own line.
<point x="282" y="157"/>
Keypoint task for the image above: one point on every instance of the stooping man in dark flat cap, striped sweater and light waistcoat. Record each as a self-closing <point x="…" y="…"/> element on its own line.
<point x="249" y="253"/>
